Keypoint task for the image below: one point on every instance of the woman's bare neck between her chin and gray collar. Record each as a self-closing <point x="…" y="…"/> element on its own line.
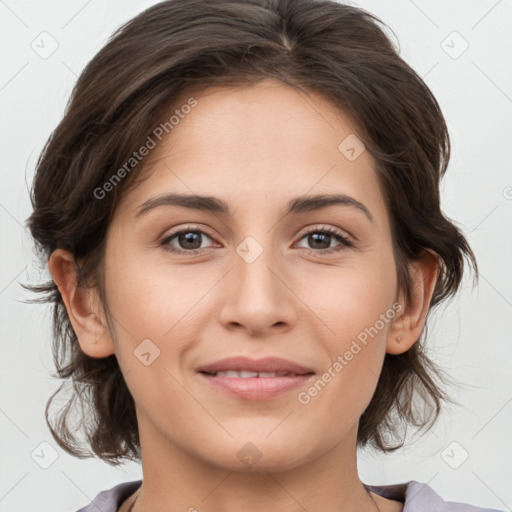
<point x="329" y="482"/>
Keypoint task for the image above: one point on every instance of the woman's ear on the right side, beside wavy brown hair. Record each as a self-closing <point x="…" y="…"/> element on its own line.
<point x="406" y="328"/>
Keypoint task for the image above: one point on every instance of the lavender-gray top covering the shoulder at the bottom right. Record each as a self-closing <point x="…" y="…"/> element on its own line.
<point x="420" y="497"/>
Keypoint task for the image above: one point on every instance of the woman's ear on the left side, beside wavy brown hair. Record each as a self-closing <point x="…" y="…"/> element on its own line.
<point x="83" y="307"/>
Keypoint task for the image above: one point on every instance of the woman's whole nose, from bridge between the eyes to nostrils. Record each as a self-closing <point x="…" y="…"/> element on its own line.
<point x="257" y="297"/>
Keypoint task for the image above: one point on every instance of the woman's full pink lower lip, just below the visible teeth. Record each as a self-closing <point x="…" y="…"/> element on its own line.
<point x="256" y="388"/>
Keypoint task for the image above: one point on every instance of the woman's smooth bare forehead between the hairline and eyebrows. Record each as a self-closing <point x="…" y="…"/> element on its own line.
<point x="260" y="143"/>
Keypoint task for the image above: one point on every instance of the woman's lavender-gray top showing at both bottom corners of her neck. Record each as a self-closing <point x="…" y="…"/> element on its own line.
<point x="416" y="496"/>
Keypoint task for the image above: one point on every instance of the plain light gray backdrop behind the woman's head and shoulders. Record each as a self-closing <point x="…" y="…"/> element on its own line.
<point x="470" y="337"/>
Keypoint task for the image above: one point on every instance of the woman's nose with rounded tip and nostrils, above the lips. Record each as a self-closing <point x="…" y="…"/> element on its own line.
<point x="259" y="296"/>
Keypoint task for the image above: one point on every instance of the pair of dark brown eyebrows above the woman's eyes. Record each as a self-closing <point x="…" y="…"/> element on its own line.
<point x="300" y="204"/>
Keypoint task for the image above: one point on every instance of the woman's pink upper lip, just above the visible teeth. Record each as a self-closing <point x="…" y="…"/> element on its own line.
<point x="266" y="364"/>
